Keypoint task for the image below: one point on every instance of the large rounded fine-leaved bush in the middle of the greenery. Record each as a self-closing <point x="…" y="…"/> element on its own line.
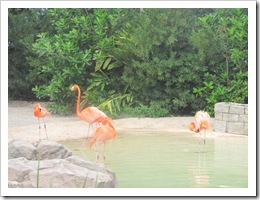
<point x="157" y="60"/>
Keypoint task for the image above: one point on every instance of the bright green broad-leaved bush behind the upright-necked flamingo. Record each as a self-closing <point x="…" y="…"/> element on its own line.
<point x="80" y="45"/>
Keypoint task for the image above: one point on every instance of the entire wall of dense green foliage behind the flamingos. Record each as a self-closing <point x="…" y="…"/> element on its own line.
<point x="144" y="62"/>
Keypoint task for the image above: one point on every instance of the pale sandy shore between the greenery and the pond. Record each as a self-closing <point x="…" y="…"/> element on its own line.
<point x="23" y="124"/>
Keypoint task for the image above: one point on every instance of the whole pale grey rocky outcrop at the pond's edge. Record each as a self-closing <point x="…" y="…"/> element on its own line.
<point x="52" y="165"/>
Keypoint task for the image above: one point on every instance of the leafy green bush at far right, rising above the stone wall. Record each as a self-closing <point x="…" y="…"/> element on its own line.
<point x="224" y="36"/>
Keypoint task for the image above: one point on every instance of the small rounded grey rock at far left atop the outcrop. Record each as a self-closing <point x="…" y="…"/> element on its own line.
<point x="21" y="148"/>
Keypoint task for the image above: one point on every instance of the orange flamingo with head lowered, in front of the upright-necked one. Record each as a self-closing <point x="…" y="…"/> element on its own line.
<point x="103" y="133"/>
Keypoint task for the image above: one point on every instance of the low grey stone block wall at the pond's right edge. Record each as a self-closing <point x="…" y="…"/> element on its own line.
<point x="231" y="118"/>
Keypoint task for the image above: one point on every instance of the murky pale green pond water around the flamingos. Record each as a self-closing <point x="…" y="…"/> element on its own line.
<point x="173" y="160"/>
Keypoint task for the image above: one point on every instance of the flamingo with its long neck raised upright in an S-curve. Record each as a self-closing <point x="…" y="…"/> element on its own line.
<point x="89" y="114"/>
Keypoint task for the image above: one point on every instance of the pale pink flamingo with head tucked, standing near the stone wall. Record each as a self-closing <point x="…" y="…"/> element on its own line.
<point x="201" y="123"/>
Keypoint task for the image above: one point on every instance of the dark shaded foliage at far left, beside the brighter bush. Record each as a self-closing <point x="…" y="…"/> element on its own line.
<point x="23" y="26"/>
